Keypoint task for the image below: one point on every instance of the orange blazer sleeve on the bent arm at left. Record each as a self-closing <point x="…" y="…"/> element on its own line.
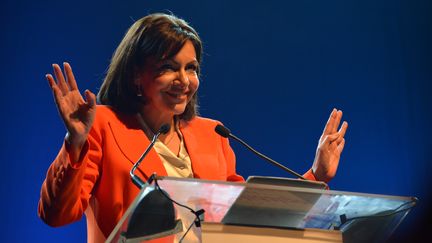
<point x="68" y="185"/>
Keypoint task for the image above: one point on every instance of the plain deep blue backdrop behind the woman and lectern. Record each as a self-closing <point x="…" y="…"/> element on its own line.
<point x="272" y="72"/>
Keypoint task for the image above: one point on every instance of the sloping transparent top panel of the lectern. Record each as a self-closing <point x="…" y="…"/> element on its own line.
<point x="279" y="206"/>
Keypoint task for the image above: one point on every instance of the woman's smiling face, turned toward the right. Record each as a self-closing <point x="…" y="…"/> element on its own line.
<point x="170" y="84"/>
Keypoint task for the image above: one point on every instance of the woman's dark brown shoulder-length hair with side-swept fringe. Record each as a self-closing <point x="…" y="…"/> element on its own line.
<point x="158" y="36"/>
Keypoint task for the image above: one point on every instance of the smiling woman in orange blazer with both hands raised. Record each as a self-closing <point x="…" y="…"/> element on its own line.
<point x="152" y="80"/>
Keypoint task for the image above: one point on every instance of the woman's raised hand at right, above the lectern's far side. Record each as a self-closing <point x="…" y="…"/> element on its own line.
<point x="330" y="147"/>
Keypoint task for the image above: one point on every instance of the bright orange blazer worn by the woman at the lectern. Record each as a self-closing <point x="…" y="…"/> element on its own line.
<point x="99" y="184"/>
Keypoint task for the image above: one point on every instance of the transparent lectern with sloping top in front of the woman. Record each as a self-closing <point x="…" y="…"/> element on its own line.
<point x="251" y="212"/>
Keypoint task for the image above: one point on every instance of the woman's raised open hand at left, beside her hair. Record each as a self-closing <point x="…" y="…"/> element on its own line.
<point x="77" y="114"/>
